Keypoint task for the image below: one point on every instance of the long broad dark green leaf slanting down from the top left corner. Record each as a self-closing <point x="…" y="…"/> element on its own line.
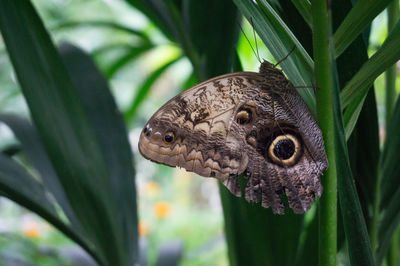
<point x="68" y="136"/>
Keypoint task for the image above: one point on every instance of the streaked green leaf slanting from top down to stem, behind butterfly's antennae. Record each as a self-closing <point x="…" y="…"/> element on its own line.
<point x="280" y="41"/>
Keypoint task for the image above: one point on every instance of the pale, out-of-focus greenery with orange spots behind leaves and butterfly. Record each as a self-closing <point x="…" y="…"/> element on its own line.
<point x="144" y="70"/>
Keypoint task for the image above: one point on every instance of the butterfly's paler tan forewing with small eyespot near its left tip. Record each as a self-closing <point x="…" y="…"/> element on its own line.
<point x="198" y="121"/>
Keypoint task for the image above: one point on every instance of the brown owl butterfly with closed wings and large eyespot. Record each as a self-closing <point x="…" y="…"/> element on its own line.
<point x="244" y="122"/>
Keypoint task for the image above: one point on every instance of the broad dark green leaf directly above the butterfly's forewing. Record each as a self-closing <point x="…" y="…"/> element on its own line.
<point x="221" y="16"/>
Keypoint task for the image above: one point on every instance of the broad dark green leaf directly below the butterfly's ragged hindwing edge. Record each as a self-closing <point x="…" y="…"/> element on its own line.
<point x="256" y="236"/>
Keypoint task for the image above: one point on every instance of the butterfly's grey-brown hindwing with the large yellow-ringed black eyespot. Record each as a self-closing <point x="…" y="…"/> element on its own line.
<point x="287" y="150"/>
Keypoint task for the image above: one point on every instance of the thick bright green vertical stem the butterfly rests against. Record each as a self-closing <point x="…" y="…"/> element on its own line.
<point x="324" y="80"/>
